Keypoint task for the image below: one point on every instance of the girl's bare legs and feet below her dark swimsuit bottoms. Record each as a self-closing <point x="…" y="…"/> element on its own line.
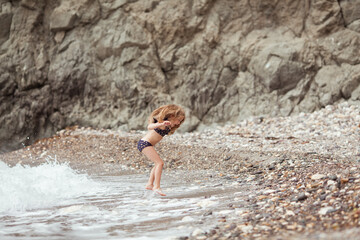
<point x="155" y="175"/>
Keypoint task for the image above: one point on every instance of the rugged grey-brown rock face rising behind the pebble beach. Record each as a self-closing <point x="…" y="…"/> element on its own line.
<point x="109" y="63"/>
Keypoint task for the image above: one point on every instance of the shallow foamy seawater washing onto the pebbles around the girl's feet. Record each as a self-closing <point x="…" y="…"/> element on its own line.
<point x="52" y="201"/>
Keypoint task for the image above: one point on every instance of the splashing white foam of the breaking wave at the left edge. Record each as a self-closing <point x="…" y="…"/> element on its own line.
<point x="24" y="188"/>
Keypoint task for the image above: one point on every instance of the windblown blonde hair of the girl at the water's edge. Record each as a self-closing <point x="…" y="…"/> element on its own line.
<point x="163" y="113"/>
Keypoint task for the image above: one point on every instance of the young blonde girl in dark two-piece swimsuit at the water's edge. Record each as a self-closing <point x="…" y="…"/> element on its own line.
<point x="162" y="121"/>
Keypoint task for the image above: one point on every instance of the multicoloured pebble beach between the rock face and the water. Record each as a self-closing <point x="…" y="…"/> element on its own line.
<point x="304" y="170"/>
